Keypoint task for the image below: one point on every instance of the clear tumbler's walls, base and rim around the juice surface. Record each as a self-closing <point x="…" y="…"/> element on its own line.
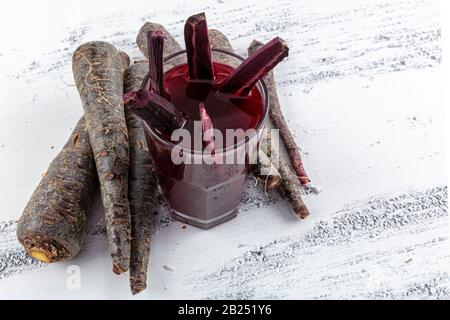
<point x="198" y="193"/>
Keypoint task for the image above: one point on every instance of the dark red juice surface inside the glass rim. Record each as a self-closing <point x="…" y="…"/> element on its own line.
<point x="225" y="111"/>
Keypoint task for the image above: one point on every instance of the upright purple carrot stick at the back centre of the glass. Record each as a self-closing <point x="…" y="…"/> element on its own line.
<point x="198" y="50"/>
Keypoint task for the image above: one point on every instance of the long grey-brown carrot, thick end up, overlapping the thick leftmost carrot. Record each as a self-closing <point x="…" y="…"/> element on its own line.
<point x="99" y="80"/>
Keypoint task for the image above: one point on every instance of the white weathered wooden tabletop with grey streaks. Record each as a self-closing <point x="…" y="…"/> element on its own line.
<point x="362" y="92"/>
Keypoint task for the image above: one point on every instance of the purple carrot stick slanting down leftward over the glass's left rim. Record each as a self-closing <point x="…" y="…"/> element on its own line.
<point x="156" y="111"/>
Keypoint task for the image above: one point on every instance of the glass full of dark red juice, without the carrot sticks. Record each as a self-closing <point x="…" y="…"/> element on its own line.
<point x="201" y="192"/>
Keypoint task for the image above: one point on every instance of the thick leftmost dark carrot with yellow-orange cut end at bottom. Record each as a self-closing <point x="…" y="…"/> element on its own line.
<point x="54" y="223"/>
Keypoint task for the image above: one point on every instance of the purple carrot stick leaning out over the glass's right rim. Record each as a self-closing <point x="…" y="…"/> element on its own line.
<point x="255" y="67"/>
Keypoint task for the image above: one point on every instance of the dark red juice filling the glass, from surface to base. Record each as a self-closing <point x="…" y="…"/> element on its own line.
<point x="205" y="194"/>
